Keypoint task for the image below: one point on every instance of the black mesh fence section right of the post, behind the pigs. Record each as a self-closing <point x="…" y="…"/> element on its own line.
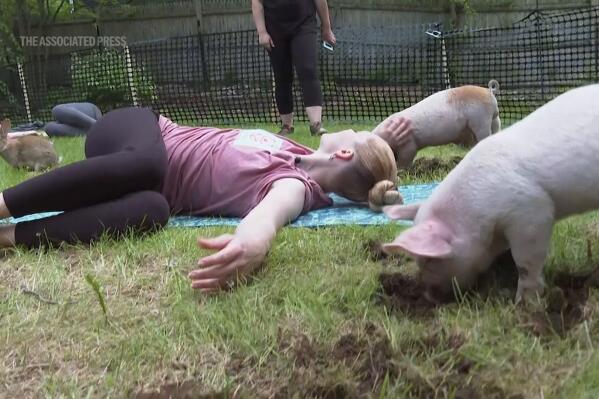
<point x="534" y="60"/>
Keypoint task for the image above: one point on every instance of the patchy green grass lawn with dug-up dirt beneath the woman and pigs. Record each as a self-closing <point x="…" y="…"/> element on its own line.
<point x="118" y="319"/>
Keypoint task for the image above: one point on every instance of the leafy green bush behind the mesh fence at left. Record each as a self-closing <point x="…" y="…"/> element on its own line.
<point x="101" y="78"/>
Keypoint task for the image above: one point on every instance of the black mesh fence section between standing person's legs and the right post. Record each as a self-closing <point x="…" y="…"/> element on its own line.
<point x="375" y="72"/>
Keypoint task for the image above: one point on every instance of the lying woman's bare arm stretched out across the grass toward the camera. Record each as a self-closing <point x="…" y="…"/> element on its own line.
<point x="241" y="253"/>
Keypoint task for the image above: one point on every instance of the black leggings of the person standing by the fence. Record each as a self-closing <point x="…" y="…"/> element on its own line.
<point x="298" y="49"/>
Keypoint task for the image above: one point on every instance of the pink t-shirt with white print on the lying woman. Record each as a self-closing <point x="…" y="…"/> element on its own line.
<point x="227" y="172"/>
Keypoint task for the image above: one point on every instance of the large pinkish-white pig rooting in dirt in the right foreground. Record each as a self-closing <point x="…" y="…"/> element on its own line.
<point x="506" y="194"/>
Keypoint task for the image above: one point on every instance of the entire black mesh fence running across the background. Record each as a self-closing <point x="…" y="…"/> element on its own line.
<point x="226" y="78"/>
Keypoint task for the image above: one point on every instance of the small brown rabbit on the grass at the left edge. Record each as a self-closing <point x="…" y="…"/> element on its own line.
<point x="31" y="152"/>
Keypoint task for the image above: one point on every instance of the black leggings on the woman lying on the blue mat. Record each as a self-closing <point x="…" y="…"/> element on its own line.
<point x="113" y="191"/>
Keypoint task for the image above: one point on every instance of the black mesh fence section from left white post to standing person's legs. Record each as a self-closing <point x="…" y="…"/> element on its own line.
<point x="219" y="78"/>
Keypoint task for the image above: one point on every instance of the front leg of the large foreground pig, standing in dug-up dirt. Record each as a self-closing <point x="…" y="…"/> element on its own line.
<point x="529" y="241"/>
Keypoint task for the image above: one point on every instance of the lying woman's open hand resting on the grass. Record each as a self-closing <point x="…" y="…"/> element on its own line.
<point x="234" y="260"/>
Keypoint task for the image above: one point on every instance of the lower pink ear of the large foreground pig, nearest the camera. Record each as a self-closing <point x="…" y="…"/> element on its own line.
<point x="427" y="239"/>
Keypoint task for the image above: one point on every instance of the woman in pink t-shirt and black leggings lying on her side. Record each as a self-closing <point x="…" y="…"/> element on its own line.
<point x="141" y="167"/>
